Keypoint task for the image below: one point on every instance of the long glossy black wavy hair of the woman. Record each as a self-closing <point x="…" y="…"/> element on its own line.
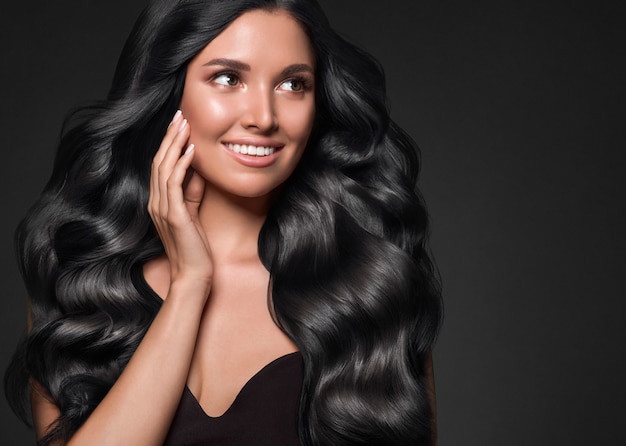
<point x="352" y="282"/>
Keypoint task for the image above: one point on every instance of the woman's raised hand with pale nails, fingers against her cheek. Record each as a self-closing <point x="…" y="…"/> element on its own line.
<point x="175" y="195"/>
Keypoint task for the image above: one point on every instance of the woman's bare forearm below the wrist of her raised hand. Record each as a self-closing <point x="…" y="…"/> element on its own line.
<point x="140" y="406"/>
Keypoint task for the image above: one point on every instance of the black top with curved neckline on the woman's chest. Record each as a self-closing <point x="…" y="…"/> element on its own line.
<point x="265" y="412"/>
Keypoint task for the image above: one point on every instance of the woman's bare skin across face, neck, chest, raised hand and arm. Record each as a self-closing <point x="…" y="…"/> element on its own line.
<point x="252" y="85"/>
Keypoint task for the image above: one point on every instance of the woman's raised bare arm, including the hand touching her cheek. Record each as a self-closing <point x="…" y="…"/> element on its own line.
<point x="132" y="412"/>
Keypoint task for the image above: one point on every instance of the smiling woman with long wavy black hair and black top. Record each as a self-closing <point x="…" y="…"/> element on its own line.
<point x="230" y="249"/>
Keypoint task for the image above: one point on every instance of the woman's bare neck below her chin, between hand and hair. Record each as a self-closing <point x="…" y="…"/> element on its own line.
<point x="232" y="224"/>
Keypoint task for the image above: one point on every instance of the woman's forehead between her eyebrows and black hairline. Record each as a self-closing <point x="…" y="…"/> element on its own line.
<point x="264" y="37"/>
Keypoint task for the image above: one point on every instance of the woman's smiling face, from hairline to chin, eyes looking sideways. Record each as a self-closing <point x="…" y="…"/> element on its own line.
<point x="249" y="98"/>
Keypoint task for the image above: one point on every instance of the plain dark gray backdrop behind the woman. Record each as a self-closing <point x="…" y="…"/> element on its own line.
<point x="519" y="110"/>
